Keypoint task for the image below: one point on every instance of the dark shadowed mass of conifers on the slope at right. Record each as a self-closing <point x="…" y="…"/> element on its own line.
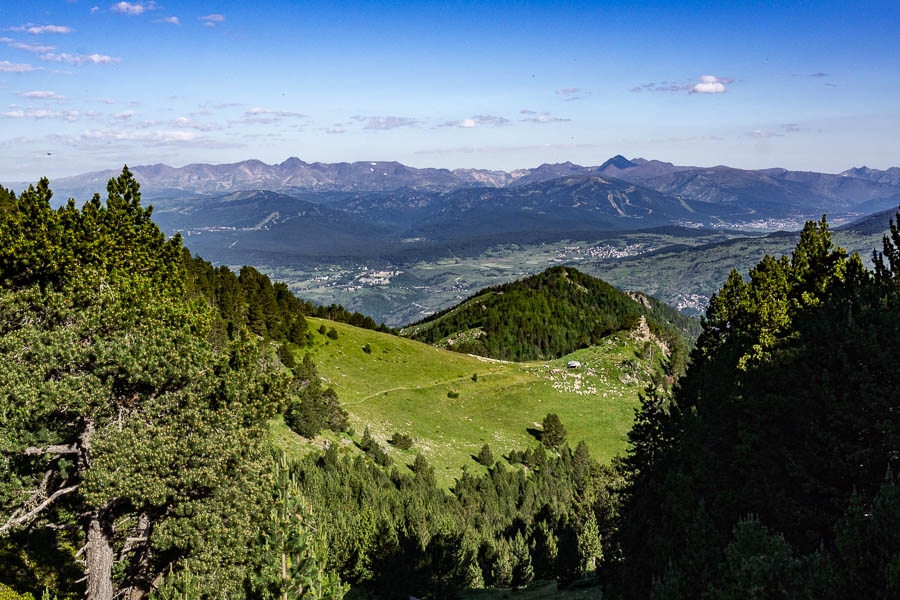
<point x="771" y="465"/>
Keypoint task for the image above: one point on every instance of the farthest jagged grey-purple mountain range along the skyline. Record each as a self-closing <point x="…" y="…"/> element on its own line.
<point x="767" y="193"/>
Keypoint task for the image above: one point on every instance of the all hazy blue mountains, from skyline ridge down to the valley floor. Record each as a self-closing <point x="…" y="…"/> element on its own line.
<point x="297" y="209"/>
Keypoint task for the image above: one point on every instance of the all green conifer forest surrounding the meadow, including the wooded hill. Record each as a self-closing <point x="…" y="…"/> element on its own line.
<point x="137" y="385"/>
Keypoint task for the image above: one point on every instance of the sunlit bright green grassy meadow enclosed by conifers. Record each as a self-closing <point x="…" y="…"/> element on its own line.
<point x="402" y="386"/>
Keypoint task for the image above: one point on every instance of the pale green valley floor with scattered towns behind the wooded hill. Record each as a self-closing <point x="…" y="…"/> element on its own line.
<point x="681" y="271"/>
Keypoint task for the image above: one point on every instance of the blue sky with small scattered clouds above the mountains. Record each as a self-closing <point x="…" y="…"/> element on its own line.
<point x="87" y="85"/>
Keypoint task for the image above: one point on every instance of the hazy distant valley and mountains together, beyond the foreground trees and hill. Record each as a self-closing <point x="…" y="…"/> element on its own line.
<point x="398" y="243"/>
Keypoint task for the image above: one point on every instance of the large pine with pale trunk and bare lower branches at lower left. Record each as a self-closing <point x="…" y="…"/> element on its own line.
<point x="125" y="414"/>
